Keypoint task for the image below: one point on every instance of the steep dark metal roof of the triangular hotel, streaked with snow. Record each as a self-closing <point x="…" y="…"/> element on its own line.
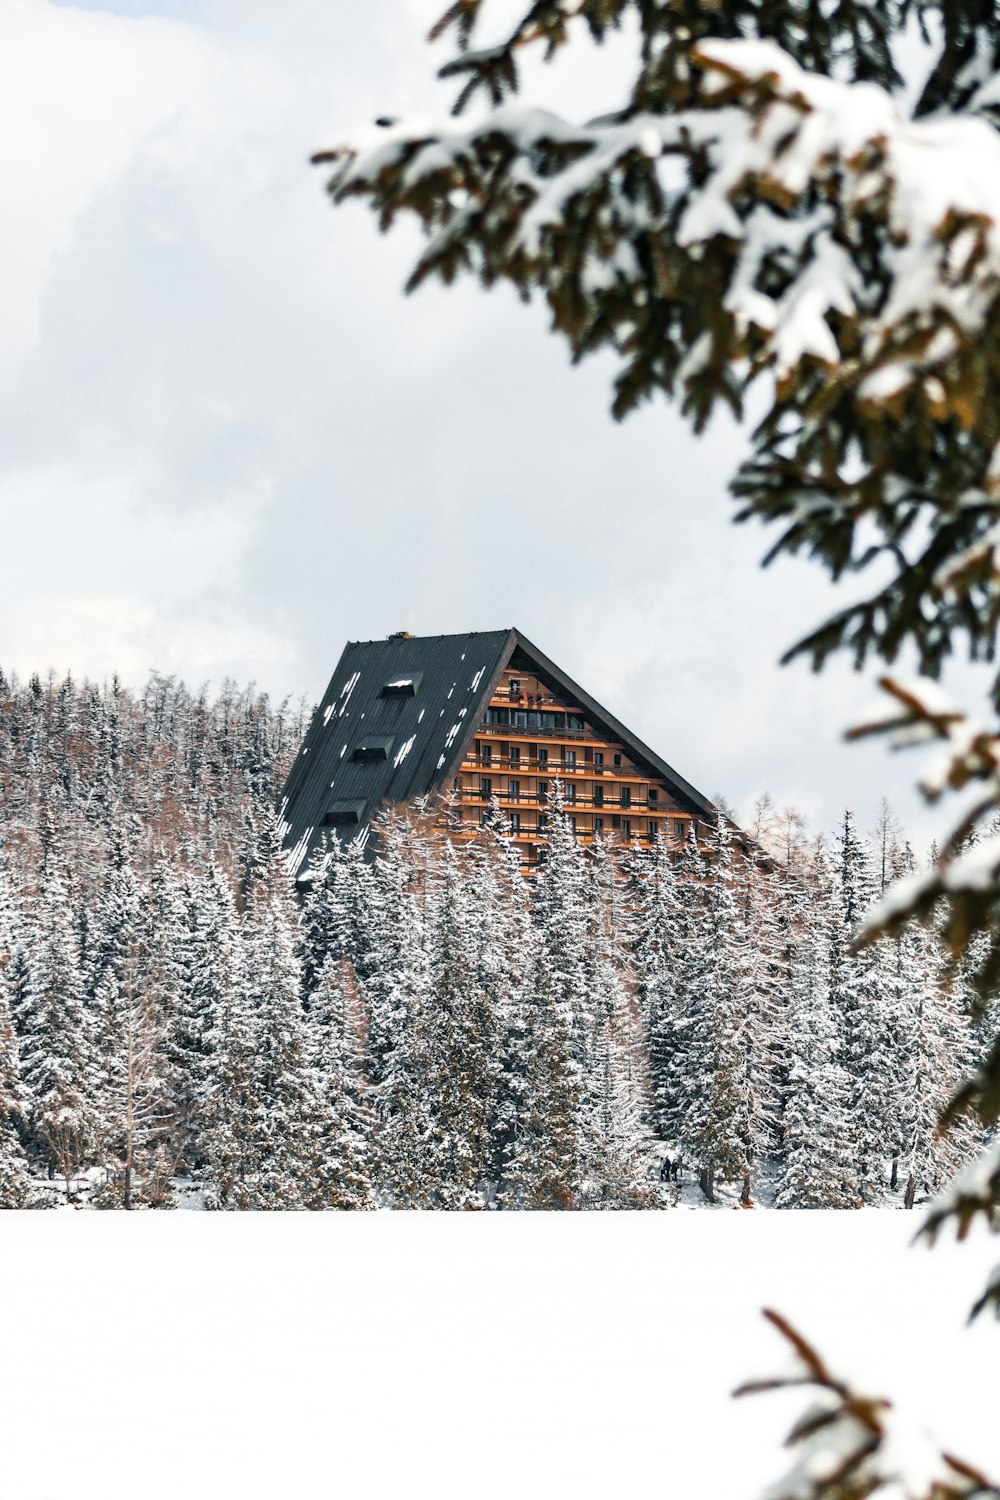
<point x="425" y="733"/>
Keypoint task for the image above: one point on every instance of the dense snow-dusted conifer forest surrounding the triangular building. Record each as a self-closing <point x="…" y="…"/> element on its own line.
<point x="630" y="1028"/>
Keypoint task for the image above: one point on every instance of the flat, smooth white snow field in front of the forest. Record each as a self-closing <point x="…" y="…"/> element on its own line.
<point x="254" y="1357"/>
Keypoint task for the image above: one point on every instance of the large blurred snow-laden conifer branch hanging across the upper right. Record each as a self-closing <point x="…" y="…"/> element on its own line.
<point x="762" y="220"/>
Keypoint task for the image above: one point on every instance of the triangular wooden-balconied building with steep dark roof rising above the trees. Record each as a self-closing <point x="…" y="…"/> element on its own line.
<point x="484" y="716"/>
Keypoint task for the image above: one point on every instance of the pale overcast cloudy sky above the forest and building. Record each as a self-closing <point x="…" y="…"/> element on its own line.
<point x="229" y="443"/>
